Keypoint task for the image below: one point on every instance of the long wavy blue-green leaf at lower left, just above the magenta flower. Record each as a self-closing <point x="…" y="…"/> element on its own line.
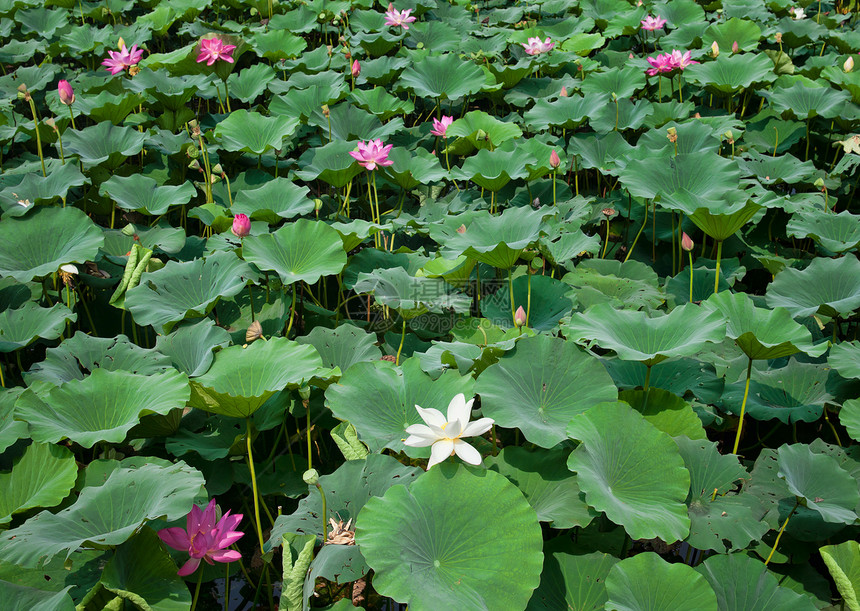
<point x="105" y="514"/>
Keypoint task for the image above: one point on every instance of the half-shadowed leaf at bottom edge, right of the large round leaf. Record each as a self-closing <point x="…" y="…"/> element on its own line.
<point x="573" y="582"/>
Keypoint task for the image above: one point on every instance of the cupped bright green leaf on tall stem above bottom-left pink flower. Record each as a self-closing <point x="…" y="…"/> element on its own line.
<point x="242" y="379"/>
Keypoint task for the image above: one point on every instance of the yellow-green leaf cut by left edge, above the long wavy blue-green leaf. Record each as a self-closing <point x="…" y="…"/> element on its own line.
<point x="42" y="477"/>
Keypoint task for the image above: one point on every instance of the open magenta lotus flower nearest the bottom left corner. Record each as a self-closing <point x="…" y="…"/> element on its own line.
<point x="205" y="537"/>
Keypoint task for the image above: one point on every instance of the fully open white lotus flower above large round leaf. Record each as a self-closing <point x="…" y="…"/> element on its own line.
<point x="445" y="435"/>
